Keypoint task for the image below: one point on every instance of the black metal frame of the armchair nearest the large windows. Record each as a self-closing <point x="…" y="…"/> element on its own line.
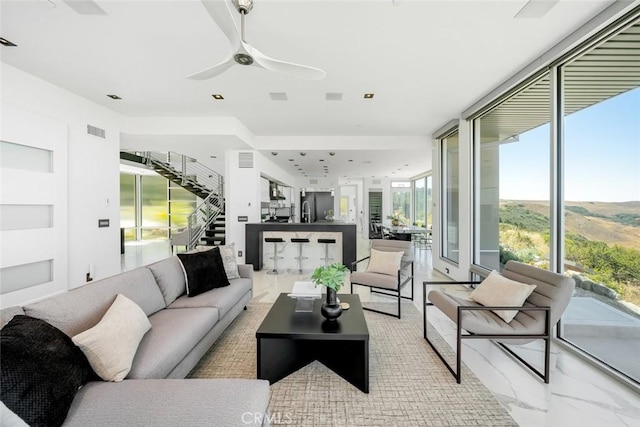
<point x="546" y="335"/>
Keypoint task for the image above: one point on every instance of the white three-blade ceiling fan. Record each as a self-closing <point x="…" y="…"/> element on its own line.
<point x="242" y="52"/>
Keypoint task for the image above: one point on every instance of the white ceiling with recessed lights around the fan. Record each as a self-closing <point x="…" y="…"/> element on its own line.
<point x="426" y="61"/>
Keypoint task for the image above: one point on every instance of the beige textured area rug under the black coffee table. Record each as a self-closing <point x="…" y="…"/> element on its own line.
<point x="409" y="386"/>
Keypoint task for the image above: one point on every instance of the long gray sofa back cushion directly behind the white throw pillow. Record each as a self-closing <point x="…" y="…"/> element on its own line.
<point x="82" y="308"/>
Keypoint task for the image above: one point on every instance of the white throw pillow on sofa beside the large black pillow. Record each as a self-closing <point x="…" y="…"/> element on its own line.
<point x="111" y="345"/>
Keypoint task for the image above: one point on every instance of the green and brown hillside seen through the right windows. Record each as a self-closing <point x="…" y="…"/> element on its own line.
<point x="602" y="240"/>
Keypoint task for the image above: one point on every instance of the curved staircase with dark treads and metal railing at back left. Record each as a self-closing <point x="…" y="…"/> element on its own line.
<point x="206" y="224"/>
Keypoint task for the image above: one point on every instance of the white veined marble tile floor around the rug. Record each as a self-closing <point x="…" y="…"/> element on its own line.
<point x="578" y="395"/>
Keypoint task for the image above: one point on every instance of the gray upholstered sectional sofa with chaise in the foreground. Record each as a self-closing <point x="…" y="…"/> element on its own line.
<point x="183" y="329"/>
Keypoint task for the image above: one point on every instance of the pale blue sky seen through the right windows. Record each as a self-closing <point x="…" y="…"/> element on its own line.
<point x="602" y="151"/>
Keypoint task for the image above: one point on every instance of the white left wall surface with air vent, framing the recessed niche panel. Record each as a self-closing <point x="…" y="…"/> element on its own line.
<point x="93" y="170"/>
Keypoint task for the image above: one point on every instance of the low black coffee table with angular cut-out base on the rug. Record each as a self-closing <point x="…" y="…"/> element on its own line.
<point x="288" y="341"/>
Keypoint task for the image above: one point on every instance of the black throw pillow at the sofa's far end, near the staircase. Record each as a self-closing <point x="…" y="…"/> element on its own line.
<point x="203" y="271"/>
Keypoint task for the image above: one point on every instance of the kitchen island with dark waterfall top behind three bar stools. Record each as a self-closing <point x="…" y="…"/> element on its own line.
<point x="258" y="252"/>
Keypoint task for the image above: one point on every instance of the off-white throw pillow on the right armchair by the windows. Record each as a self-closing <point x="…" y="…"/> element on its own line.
<point x="497" y="290"/>
